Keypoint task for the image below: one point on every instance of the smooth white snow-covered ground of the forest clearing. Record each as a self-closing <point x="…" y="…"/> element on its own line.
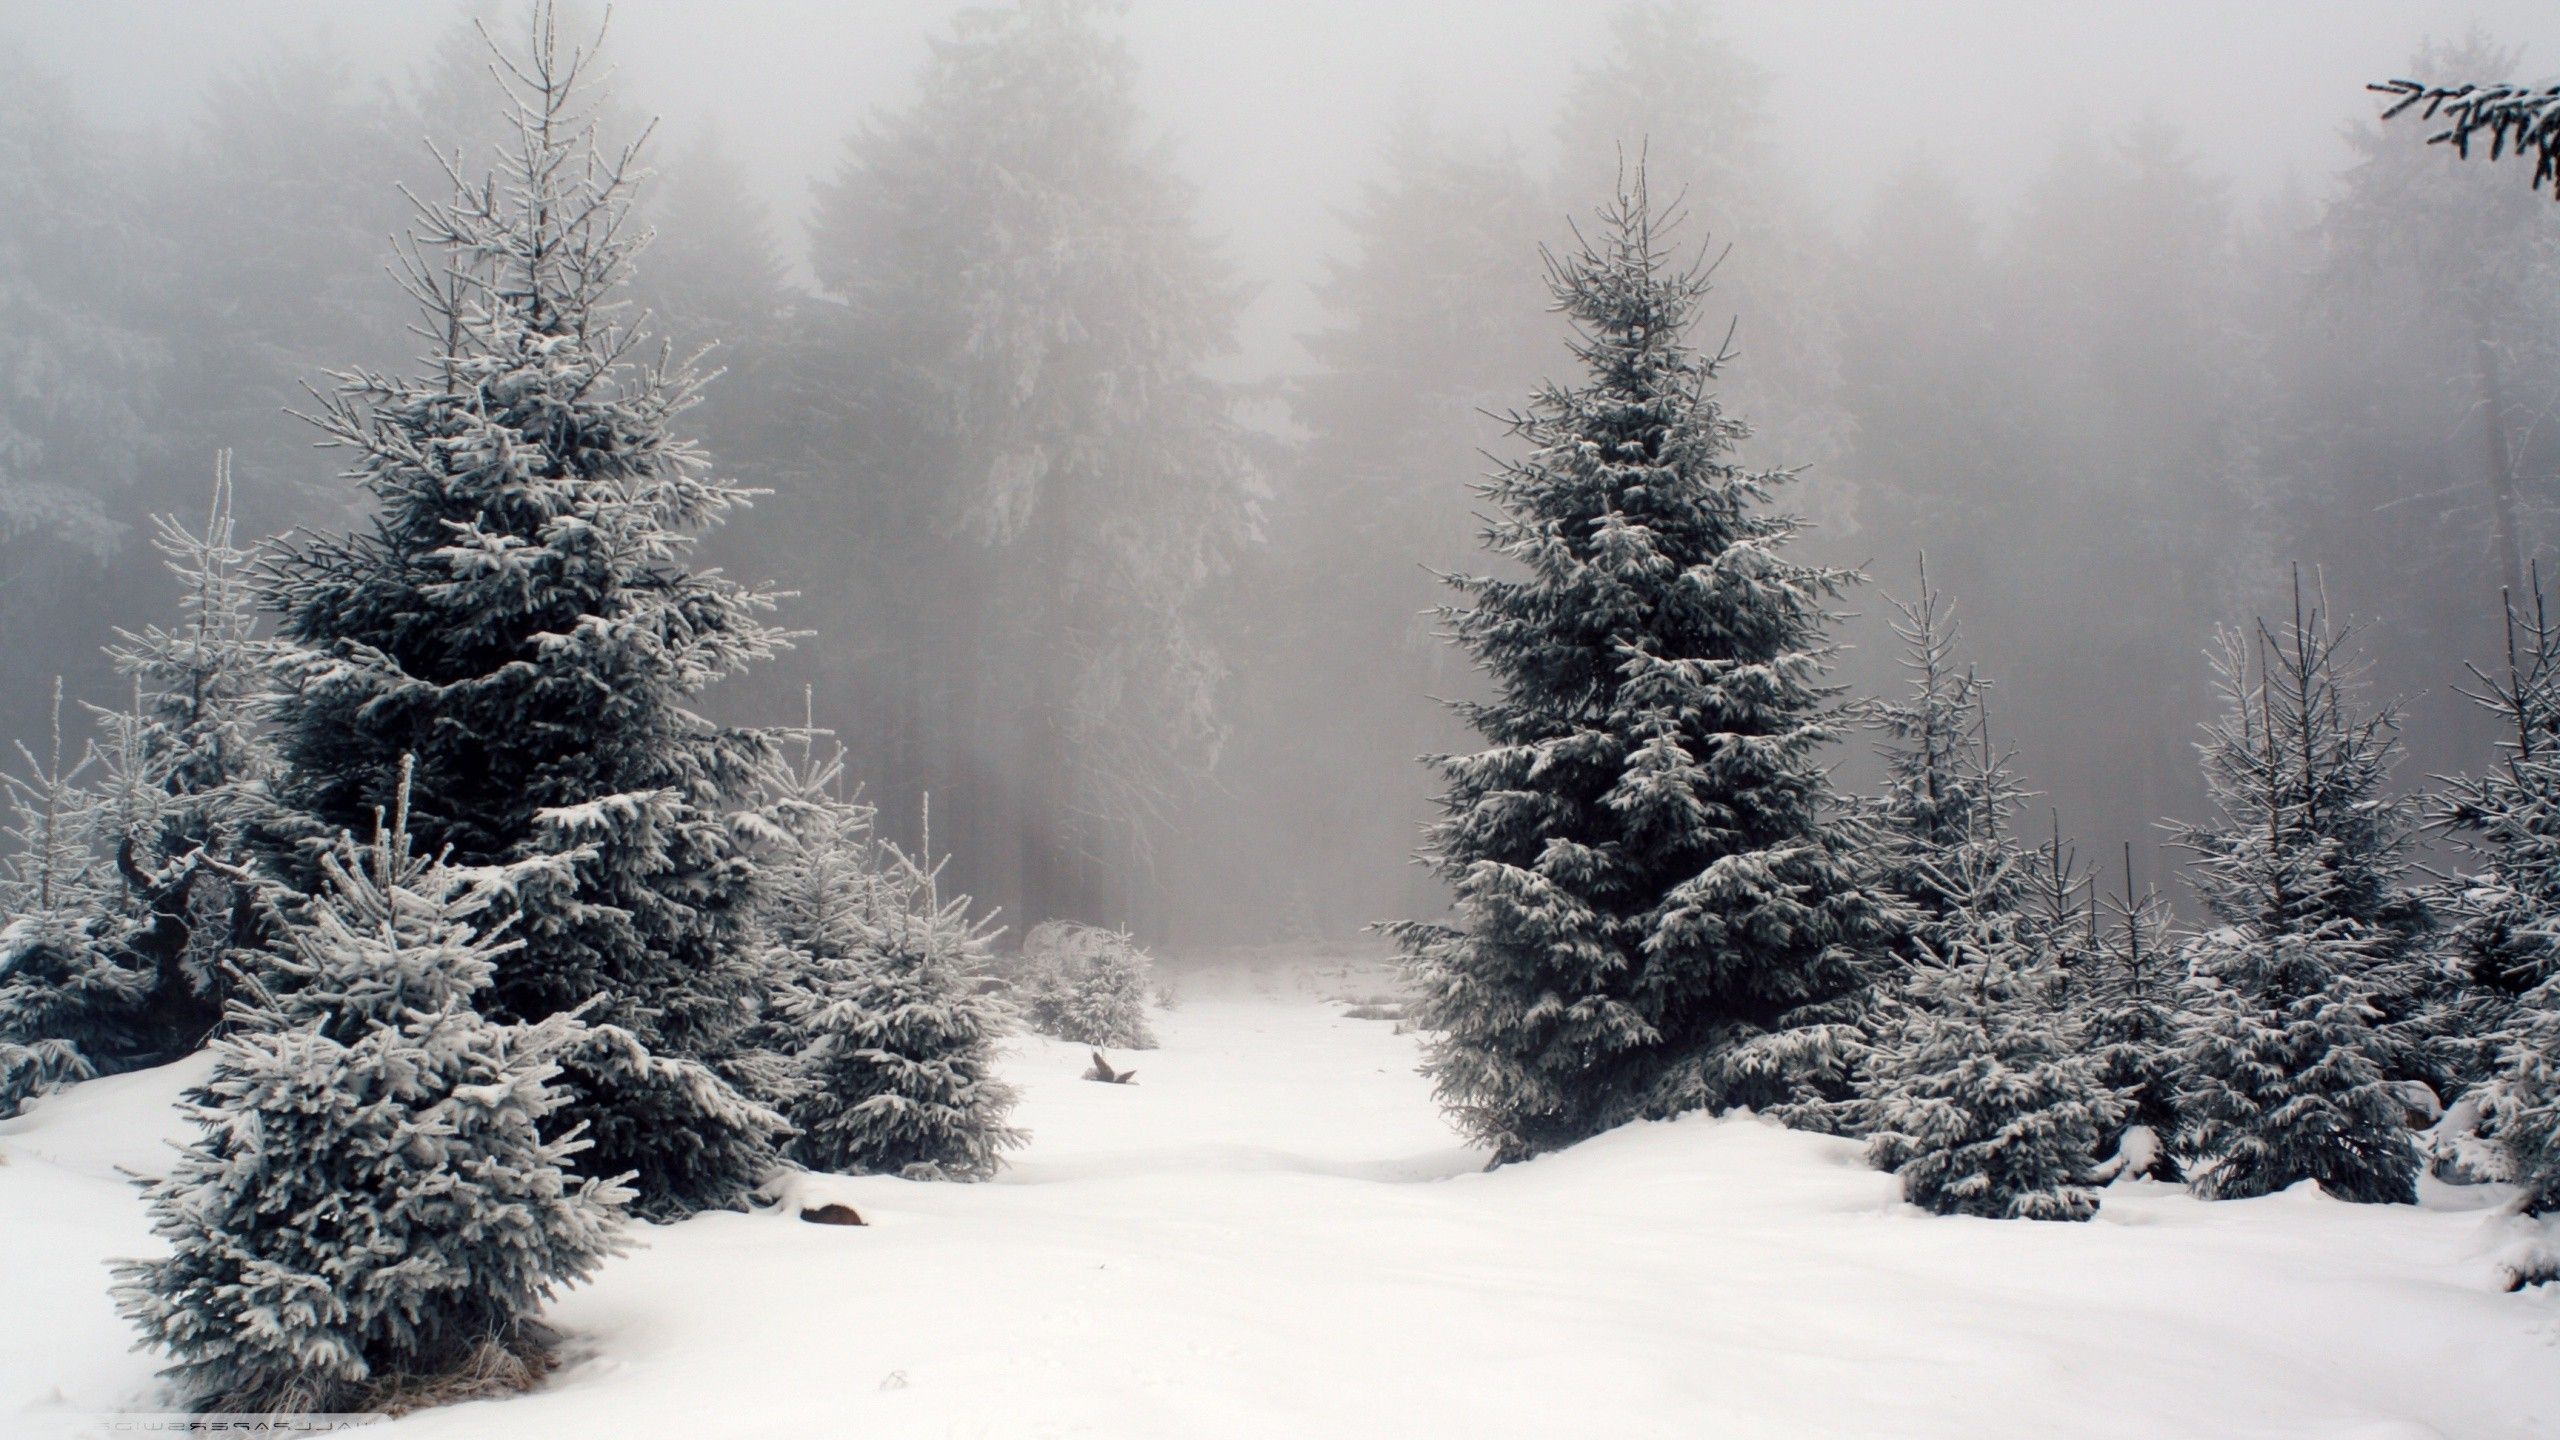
<point x="1274" y="1234"/>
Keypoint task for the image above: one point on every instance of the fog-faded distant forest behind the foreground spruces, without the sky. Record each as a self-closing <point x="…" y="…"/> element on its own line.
<point x="1192" y="703"/>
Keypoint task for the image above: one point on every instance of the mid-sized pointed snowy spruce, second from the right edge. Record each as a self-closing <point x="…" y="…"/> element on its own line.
<point x="2282" y="1057"/>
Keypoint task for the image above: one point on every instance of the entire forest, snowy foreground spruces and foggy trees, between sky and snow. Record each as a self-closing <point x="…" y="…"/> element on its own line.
<point x="634" y="775"/>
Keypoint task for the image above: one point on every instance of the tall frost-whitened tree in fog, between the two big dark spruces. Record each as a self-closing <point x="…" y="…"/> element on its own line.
<point x="1025" y="270"/>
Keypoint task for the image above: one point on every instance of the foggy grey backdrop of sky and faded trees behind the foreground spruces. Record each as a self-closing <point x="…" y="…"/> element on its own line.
<point x="1117" y="373"/>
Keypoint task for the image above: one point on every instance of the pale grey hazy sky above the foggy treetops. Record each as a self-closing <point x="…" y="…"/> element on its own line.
<point x="1274" y="104"/>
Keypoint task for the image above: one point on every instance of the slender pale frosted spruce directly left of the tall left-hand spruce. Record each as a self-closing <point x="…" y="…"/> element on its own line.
<point x="188" y="773"/>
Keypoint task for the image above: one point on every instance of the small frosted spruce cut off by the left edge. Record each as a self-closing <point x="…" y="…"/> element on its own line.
<point x="70" y="1008"/>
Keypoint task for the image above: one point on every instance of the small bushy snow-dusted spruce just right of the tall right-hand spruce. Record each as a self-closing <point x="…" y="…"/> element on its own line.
<point x="1983" y="1098"/>
